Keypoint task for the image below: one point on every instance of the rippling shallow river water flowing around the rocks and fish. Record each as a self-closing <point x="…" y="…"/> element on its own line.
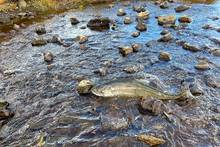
<point x="47" y="106"/>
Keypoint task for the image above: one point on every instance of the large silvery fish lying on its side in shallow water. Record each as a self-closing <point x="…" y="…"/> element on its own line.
<point x="134" y="88"/>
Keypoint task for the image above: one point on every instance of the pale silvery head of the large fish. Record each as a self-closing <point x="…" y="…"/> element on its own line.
<point x="103" y="91"/>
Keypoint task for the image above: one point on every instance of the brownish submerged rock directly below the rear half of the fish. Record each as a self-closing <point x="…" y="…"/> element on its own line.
<point x="152" y="105"/>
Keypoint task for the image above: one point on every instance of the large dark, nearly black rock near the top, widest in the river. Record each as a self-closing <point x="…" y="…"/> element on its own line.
<point x="99" y="23"/>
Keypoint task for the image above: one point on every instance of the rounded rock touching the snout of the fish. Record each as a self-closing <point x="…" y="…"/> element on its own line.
<point x="84" y="87"/>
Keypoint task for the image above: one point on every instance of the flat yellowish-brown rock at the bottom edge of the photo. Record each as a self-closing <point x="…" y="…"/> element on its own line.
<point x="151" y="140"/>
